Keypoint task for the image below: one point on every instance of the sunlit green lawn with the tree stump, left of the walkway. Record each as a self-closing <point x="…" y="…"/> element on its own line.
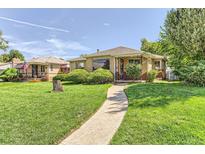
<point x="31" y="114"/>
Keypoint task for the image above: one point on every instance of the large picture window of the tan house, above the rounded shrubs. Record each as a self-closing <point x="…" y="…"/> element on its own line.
<point x="101" y="63"/>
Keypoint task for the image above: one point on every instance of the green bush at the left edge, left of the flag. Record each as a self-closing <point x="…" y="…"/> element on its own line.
<point x="10" y="74"/>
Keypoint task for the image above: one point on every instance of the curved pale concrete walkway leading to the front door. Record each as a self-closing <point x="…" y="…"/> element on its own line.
<point x="101" y="127"/>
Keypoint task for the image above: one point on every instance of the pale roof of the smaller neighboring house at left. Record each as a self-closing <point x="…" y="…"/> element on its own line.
<point x="47" y="60"/>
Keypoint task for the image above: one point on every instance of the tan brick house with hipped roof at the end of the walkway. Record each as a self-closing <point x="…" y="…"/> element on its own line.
<point x="116" y="60"/>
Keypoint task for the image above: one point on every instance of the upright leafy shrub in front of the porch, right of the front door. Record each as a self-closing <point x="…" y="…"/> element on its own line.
<point x="133" y="71"/>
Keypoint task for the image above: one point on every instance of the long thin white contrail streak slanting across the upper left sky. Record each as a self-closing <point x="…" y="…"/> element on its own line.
<point x="34" y="25"/>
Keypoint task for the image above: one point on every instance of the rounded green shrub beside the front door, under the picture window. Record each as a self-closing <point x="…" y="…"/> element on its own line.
<point x="100" y="76"/>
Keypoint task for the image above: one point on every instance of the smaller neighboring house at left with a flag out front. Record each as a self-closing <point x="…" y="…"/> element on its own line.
<point x="43" y="68"/>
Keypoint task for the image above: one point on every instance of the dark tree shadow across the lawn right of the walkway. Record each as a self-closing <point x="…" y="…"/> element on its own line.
<point x="157" y="94"/>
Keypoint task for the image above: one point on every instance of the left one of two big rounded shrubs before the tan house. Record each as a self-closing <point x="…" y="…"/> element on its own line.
<point x="78" y="76"/>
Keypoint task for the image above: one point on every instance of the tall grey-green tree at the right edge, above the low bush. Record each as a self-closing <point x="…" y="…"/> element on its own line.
<point x="185" y="30"/>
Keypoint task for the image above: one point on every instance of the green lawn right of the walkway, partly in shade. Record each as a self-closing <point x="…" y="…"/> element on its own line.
<point x="163" y="113"/>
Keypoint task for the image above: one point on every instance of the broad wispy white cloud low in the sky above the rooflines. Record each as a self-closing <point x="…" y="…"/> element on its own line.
<point x="49" y="47"/>
